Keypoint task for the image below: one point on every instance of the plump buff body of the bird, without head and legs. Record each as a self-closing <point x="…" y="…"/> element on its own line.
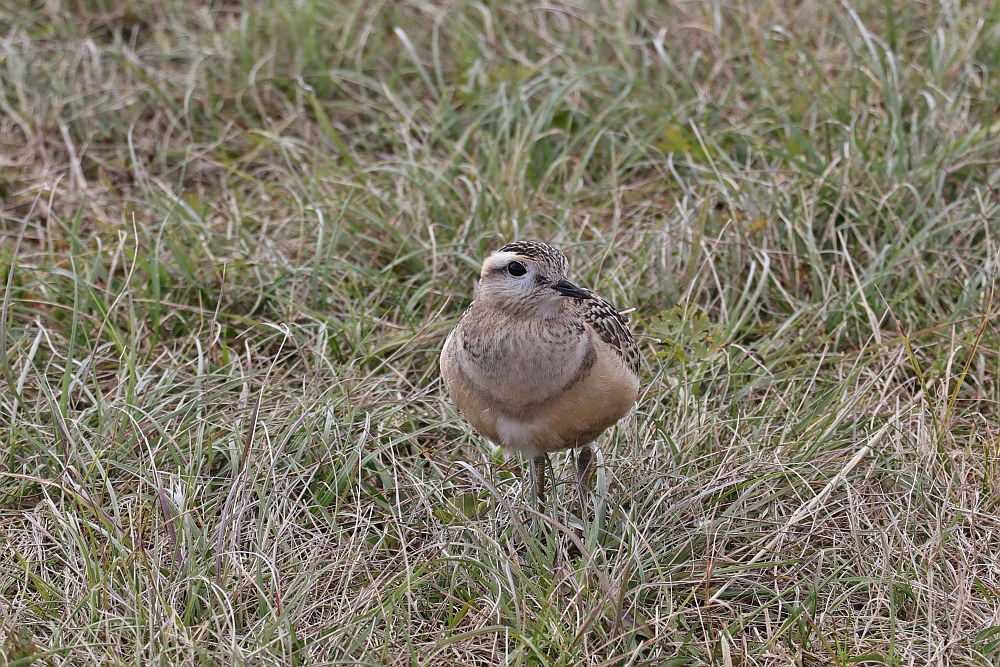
<point x="542" y="385"/>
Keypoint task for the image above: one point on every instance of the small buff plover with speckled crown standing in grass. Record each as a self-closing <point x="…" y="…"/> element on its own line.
<point x="538" y="364"/>
